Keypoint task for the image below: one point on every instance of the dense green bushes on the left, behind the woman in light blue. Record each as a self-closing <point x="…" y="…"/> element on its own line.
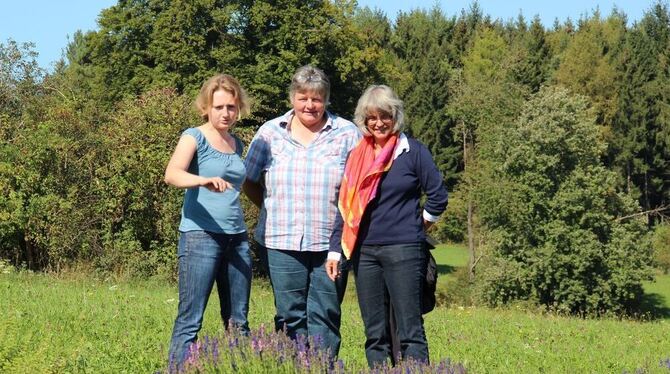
<point x="81" y="185"/>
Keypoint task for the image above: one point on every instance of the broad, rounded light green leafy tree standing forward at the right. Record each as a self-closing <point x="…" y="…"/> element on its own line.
<point x="551" y="214"/>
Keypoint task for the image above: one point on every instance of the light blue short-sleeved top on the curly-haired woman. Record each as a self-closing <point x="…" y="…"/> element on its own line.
<point x="218" y="212"/>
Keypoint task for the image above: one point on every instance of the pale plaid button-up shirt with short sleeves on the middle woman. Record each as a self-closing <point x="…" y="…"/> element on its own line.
<point x="301" y="182"/>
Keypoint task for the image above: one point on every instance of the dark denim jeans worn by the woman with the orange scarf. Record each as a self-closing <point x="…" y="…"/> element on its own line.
<point x="391" y="274"/>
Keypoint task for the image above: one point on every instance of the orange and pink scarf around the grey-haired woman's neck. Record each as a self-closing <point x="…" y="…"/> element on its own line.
<point x="359" y="185"/>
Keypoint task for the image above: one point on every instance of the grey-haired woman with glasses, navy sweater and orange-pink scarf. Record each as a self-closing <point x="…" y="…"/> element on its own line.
<point x="381" y="227"/>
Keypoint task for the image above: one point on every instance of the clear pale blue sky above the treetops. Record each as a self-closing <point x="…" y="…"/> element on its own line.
<point x="48" y="23"/>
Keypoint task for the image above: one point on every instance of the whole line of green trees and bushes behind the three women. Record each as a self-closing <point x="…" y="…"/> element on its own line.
<point x="554" y="141"/>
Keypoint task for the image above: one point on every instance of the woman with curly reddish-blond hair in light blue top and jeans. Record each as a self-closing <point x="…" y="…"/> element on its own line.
<point x="213" y="244"/>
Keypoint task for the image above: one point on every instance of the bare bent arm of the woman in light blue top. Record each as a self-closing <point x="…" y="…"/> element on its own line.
<point x="176" y="172"/>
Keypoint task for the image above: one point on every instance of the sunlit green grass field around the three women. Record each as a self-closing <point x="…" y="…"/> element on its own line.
<point x="77" y="324"/>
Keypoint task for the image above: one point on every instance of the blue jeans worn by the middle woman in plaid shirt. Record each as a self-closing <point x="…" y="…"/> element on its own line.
<point x="307" y="301"/>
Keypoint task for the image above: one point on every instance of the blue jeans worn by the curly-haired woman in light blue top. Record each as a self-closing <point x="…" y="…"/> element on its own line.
<point x="205" y="257"/>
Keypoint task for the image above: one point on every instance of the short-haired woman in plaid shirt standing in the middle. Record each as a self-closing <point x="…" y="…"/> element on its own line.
<point x="294" y="169"/>
